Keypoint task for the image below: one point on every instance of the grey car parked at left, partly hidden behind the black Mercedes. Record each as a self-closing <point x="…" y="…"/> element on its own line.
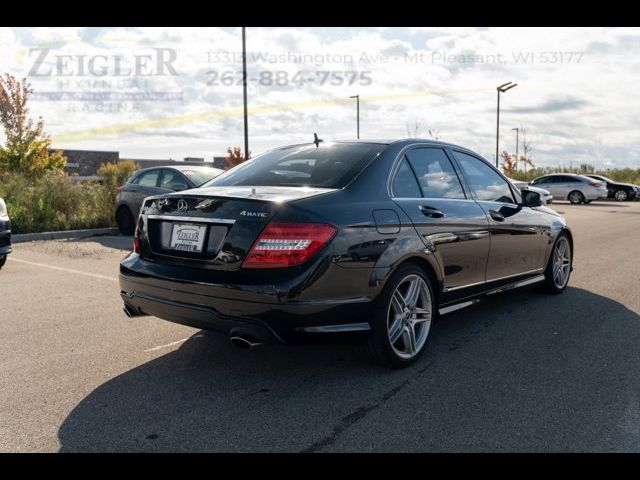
<point x="155" y="181"/>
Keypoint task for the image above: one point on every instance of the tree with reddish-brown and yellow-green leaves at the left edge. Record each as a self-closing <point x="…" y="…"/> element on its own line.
<point x="27" y="147"/>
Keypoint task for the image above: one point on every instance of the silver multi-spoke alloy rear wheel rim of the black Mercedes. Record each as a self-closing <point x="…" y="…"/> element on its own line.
<point x="409" y="316"/>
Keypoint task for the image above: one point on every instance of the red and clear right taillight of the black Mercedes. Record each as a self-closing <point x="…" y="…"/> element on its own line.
<point x="285" y="244"/>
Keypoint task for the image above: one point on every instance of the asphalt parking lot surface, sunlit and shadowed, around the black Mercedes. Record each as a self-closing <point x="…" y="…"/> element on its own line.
<point x="522" y="371"/>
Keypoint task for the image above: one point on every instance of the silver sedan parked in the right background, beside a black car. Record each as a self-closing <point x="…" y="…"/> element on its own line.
<point x="569" y="186"/>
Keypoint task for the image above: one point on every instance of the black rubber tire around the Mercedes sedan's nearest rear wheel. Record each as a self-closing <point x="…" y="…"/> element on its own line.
<point x="378" y="344"/>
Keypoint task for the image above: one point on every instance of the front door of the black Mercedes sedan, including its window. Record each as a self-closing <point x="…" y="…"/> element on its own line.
<point x="516" y="231"/>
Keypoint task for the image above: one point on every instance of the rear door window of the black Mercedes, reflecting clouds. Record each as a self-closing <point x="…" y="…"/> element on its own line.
<point x="436" y="176"/>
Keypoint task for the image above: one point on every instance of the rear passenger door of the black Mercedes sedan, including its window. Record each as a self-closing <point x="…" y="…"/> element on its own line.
<point x="454" y="228"/>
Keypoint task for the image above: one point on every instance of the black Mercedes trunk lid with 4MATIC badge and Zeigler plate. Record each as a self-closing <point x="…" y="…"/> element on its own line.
<point x="212" y="227"/>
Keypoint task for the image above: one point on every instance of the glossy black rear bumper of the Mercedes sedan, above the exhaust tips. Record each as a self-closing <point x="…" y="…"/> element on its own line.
<point x="269" y="318"/>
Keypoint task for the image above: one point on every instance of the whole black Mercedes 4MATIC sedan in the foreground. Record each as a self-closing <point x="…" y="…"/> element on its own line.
<point x="371" y="239"/>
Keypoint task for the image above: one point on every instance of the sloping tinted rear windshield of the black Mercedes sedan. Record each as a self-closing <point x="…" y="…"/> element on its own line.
<point x="328" y="166"/>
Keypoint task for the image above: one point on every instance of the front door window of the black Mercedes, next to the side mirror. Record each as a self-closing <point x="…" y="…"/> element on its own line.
<point x="485" y="182"/>
